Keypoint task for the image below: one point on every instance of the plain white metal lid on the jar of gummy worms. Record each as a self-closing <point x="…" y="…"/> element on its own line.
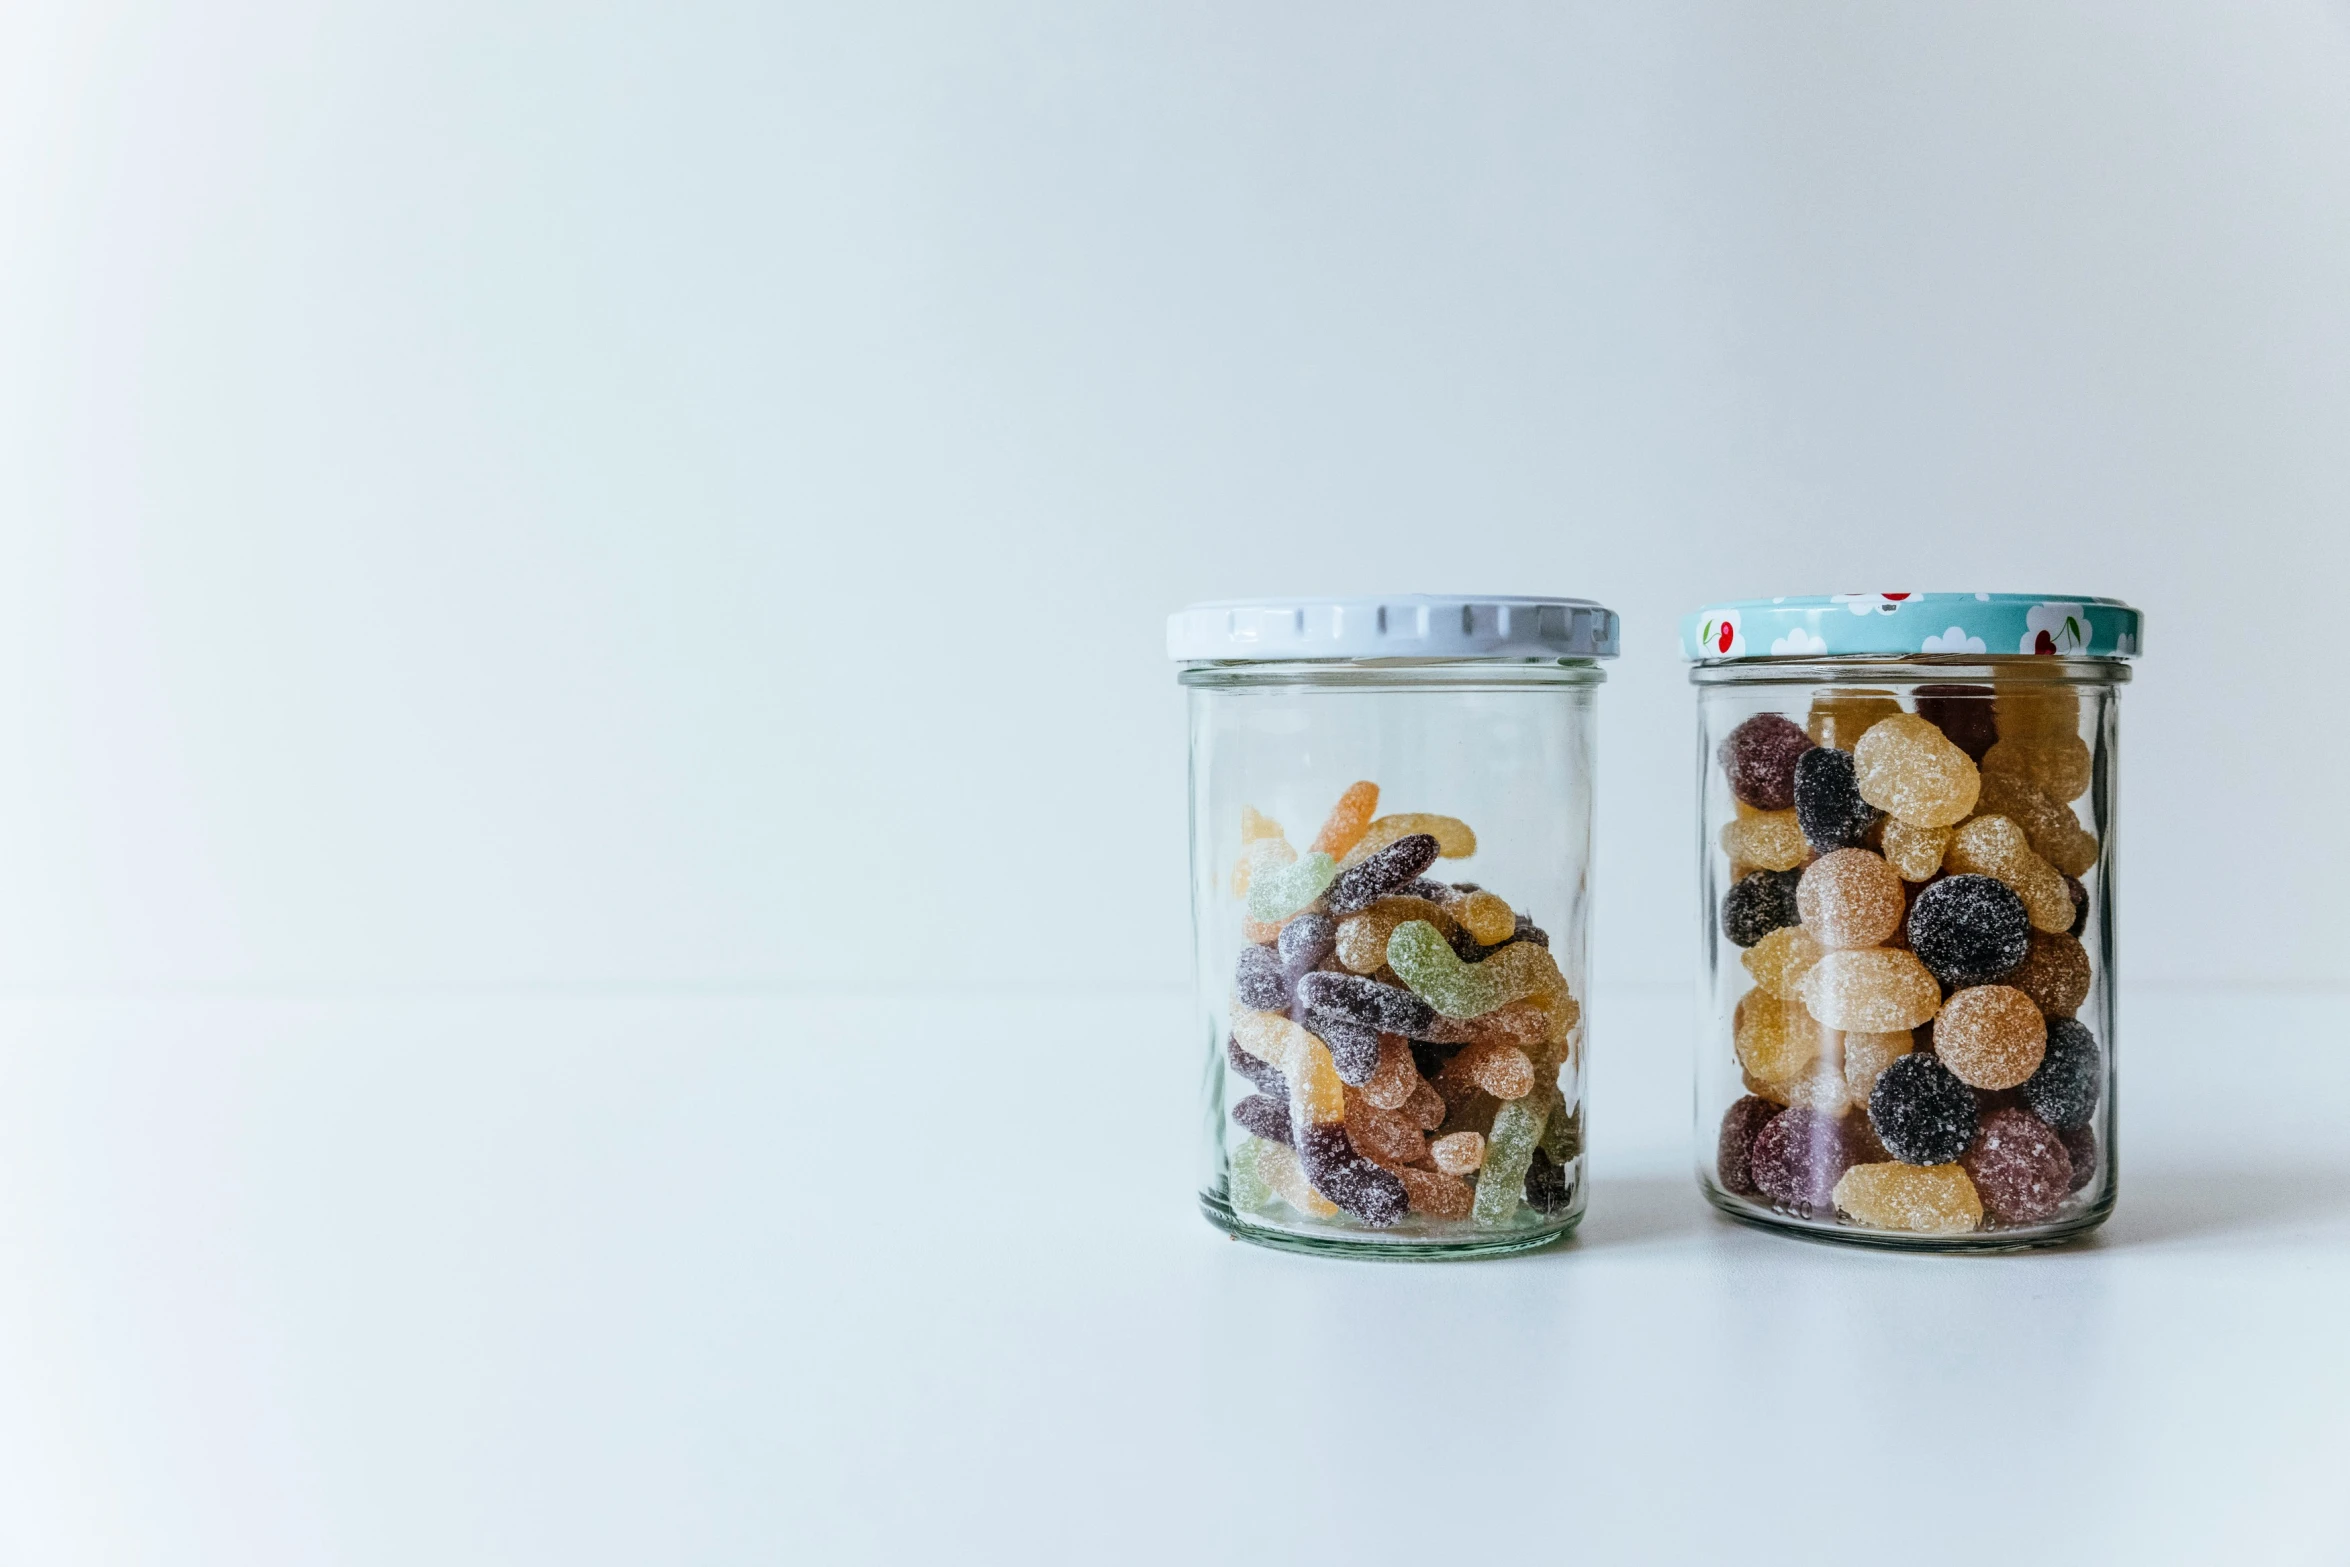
<point x="1392" y="626"/>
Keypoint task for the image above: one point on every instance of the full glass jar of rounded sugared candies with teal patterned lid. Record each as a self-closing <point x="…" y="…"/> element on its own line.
<point x="1907" y="840"/>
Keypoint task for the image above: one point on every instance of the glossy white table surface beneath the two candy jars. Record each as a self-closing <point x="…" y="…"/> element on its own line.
<point x="654" y="1279"/>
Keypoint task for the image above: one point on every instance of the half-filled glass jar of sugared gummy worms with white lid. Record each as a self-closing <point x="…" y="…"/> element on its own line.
<point x="1392" y="1051"/>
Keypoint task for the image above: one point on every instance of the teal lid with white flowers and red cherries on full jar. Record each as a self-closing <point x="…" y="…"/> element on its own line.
<point x="1895" y="624"/>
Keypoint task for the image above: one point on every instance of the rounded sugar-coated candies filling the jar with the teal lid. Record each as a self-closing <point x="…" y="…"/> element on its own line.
<point x="1905" y="889"/>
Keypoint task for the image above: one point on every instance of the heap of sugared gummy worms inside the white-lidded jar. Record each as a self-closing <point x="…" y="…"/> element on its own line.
<point x="1404" y="1035"/>
